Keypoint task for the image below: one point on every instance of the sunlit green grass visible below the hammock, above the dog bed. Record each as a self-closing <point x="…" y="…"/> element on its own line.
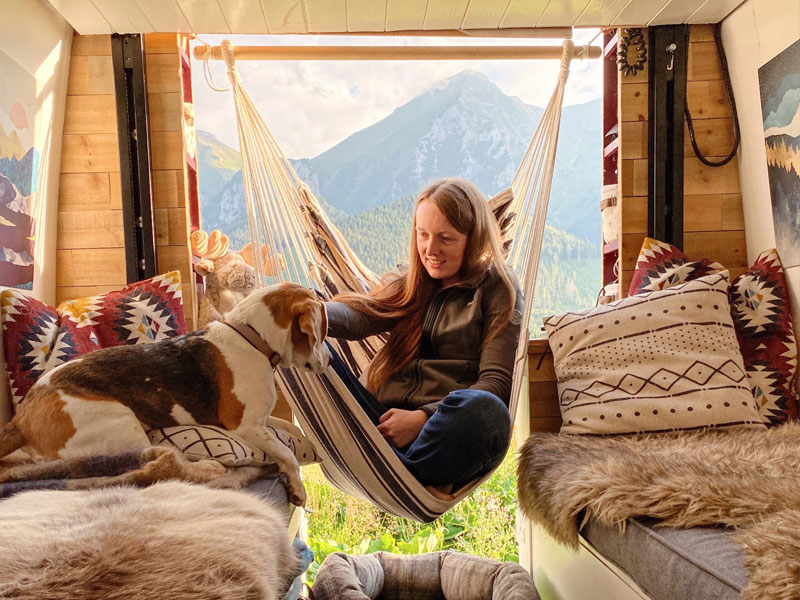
<point x="482" y="524"/>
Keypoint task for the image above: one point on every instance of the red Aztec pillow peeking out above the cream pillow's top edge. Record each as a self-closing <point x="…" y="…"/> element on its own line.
<point x="661" y="265"/>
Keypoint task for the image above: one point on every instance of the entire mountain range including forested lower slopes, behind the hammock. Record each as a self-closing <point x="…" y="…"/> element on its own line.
<point x="464" y="126"/>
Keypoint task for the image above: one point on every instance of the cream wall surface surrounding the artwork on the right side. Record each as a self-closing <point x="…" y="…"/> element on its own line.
<point x="755" y="33"/>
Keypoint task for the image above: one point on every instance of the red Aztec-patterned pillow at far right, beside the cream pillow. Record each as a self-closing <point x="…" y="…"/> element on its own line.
<point x="763" y="321"/>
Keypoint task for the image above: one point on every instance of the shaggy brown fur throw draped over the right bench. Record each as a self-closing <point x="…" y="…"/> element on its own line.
<point x="745" y="479"/>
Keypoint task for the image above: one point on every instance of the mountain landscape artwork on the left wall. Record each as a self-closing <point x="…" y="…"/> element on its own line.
<point x="19" y="174"/>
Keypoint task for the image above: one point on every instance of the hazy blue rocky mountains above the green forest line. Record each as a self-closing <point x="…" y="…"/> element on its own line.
<point x="464" y="126"/>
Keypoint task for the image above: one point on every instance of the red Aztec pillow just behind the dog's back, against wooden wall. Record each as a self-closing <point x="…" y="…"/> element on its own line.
<point x="142" y="312"/>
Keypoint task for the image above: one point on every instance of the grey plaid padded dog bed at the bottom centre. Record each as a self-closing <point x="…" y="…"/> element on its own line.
<point x="448" y="575"/>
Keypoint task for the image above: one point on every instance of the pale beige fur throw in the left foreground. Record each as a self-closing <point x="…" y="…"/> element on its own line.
<point x="171" y="540"/>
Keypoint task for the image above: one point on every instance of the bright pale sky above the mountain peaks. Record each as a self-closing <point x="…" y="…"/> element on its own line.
<point x="310" y="106"/>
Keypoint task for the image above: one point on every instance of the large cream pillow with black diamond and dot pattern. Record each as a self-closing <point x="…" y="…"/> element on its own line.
<point x="658" y="361"/>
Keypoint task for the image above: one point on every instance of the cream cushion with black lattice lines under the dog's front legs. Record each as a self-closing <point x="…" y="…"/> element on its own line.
<point x="204" y="441"/>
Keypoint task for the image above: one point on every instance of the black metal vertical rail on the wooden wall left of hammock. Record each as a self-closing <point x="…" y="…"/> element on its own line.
<point x="134" y="156"/>
